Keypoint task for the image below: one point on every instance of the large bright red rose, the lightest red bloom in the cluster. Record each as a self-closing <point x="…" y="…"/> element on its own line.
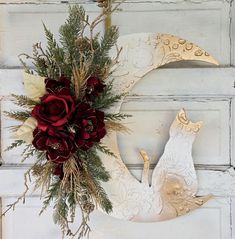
<point x="53" y="111"/>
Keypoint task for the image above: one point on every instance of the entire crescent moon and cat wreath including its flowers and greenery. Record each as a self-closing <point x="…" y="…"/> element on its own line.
<point x="73" y="99"/>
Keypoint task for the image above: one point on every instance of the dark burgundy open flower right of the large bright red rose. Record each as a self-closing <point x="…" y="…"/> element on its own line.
<point x="89" y="125"/>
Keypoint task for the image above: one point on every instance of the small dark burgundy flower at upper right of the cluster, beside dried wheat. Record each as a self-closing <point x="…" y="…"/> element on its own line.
<point x="94" y="88"/>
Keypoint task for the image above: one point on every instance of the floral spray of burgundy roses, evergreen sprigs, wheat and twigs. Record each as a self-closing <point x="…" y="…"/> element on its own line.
<point x="65" y="116"/>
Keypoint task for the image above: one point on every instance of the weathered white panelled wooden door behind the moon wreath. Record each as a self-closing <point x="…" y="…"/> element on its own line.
<point x="207" y="93"/>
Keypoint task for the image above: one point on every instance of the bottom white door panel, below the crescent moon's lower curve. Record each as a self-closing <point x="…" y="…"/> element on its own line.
<point x="213" y="219"/>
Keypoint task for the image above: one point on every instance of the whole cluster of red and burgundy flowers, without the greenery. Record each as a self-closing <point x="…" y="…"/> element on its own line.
<point x="66" y="124"/>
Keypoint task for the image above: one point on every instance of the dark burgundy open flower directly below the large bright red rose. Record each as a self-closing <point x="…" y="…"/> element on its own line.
<point x="59" y="147"/>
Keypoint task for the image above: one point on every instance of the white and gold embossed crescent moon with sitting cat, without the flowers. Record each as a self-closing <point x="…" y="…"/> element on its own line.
<point x="173" y="188"/>
